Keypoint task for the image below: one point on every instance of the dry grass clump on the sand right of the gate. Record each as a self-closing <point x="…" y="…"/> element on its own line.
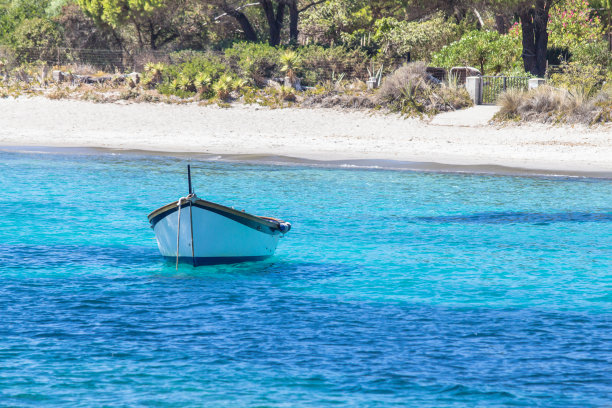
<point x="553" y="105"/>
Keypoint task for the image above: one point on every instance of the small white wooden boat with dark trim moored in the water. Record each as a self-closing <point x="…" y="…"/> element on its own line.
<point x="199" y="232"/>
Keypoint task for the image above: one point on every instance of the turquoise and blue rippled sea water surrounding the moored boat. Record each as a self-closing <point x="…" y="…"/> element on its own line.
<point x="392" y="289"/>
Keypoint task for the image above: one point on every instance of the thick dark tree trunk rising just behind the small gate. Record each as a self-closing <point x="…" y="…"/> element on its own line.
<point x="534" y="22"/>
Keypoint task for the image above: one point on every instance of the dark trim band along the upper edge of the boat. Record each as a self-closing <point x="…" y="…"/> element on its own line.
<point x="251" y="221"/>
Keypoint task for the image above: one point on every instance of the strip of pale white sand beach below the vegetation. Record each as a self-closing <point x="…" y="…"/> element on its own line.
<point x="454" y="138"/>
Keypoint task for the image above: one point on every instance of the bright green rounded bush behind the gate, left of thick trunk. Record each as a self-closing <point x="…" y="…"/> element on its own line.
<point x="488" y="51"/>
